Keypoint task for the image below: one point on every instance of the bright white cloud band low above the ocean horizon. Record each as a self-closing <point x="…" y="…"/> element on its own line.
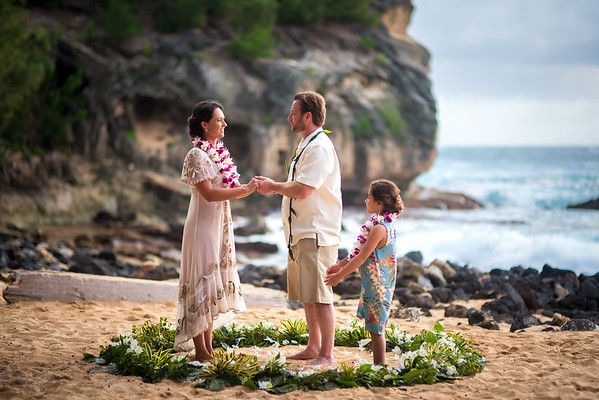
<point x="490" y="121"/>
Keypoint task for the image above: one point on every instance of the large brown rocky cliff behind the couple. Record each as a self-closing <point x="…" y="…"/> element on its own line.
<point x="380" y="107"/>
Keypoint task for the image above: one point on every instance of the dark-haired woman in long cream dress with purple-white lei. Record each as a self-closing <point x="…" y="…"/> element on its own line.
<point x="209" y="283"/>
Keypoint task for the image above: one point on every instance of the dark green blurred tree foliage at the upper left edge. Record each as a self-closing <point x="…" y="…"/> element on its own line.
<point x="37" y="104"/>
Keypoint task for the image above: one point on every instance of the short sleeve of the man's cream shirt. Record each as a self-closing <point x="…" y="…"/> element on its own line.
<point x="315" y="165"/>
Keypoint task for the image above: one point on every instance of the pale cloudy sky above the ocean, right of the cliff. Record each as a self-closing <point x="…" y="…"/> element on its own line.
<point x="512" y="72"/>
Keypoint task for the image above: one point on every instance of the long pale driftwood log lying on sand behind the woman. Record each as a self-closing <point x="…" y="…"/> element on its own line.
<point x="68" y="286"/>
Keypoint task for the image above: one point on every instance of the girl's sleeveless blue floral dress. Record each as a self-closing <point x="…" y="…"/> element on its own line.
<point x="378" y="283"/>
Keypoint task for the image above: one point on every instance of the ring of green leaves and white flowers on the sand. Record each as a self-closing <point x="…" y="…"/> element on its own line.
<point x="427" y="357"/>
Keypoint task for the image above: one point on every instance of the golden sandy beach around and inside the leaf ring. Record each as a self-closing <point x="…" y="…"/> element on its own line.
<point x="43" y="342"/>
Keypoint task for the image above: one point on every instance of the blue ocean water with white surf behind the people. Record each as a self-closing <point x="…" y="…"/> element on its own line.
<point x="524" y="222"/>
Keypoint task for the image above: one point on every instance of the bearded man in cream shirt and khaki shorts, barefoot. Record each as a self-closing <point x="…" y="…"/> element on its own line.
<point x="311" y="211"/>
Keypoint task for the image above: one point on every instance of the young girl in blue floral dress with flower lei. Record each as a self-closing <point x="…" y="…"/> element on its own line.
<point x="375" y="256"/>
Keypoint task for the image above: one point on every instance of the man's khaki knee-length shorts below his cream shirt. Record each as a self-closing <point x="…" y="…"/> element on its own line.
<point x="305" y="275"/>
